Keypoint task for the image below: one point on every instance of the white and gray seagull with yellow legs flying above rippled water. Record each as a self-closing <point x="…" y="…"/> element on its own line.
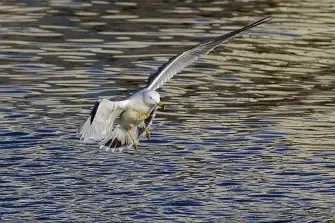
<point x="135" y="114"/>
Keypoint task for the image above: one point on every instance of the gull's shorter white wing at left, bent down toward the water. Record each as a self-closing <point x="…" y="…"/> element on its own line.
<point x="100" y="122"/>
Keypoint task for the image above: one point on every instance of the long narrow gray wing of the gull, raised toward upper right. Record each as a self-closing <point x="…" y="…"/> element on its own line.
<point x="179" y="62"/>
